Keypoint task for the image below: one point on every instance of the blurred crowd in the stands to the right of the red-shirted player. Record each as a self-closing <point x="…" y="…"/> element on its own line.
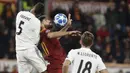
<point x="111" y="30"/>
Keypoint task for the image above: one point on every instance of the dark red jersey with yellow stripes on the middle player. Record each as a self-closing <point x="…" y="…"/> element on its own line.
<point x="53" y="52"/>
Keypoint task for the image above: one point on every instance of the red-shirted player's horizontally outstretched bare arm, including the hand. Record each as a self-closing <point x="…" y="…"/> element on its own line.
<point x="61" y="33"/>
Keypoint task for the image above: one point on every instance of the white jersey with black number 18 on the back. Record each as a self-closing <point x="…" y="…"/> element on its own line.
<point x="85" y="61"/>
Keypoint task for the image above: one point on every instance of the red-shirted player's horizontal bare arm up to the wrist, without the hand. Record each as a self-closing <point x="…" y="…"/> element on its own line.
<point x="57" y="34"/>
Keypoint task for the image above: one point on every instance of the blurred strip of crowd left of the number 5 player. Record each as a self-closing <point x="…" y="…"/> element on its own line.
<point x="7" y="31"/>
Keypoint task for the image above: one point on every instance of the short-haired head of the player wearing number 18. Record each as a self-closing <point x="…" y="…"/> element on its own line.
<point x="87" y="39"/>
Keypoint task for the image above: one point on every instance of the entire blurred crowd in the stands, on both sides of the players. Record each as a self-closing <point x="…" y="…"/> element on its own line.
<point x="111" y="30"/>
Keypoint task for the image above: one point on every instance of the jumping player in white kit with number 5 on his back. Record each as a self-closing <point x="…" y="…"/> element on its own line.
<point x="27" y="38"/>
